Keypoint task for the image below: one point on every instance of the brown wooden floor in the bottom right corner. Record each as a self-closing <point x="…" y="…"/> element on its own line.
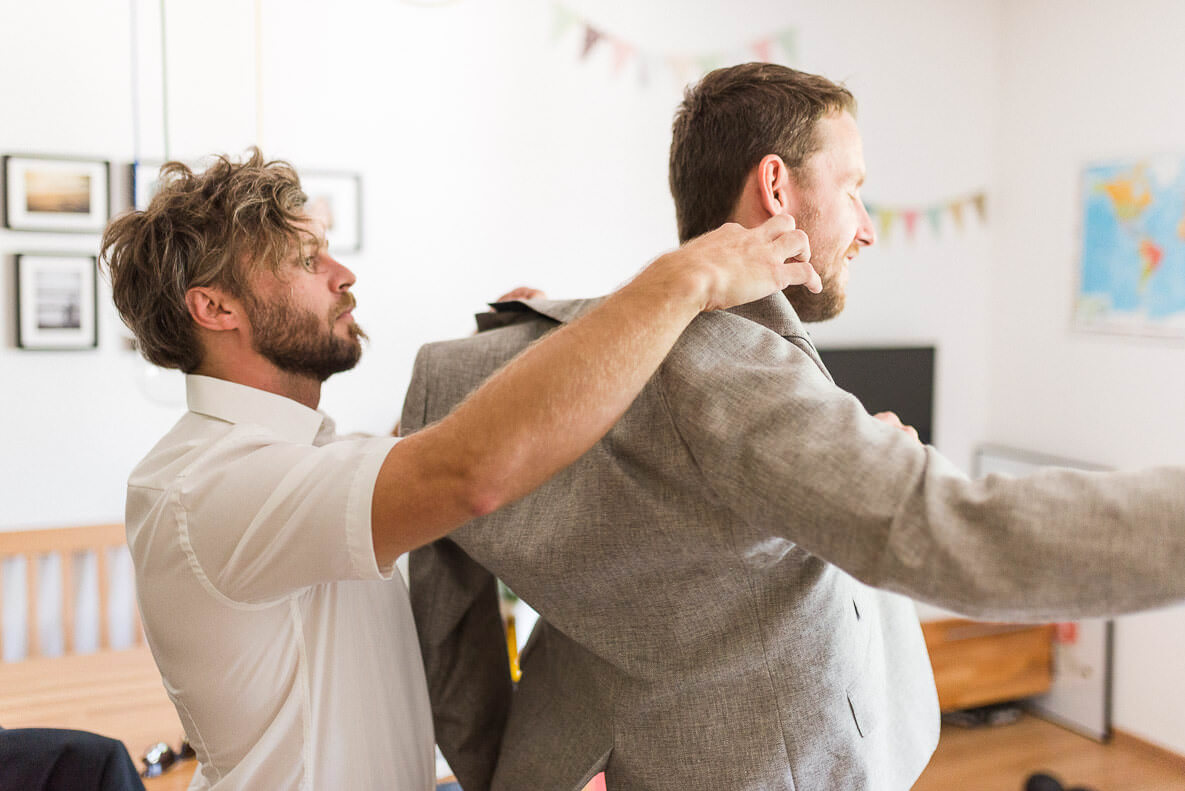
<point x="1003" y="758"/>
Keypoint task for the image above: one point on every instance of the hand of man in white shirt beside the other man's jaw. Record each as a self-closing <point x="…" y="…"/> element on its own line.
<point x="740" y="265"/>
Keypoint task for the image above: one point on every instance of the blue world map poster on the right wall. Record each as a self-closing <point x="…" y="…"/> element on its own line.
<point x="1132" y="276"/>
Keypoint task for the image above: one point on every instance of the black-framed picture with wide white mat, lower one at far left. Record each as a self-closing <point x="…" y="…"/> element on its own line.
<point x="56" y="303"/>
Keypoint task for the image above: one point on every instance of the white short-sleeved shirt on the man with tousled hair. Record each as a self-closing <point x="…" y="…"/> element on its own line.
<point x="290" y="654"/>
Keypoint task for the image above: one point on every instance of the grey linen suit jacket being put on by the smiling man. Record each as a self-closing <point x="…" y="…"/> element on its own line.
<point x="715" y="577"/>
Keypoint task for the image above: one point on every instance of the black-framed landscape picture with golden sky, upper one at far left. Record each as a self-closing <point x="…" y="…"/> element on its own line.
<point x="46" y="194"/>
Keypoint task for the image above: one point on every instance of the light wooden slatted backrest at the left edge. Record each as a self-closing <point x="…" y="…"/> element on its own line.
<point x="67" y="543"/>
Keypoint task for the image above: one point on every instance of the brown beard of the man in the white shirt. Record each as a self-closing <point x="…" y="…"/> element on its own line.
<point x="298" y="342"/>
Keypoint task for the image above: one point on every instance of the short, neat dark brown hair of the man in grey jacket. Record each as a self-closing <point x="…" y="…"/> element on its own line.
<point x="729" y="121"/>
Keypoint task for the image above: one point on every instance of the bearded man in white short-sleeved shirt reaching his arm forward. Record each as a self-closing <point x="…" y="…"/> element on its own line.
<point x="265" y="544"/>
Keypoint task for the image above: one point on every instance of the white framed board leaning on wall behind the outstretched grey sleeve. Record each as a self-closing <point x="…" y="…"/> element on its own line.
<point x="1081" y="696"/>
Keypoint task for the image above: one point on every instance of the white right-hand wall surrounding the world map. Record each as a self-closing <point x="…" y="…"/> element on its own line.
<point x="1084" y="82"/>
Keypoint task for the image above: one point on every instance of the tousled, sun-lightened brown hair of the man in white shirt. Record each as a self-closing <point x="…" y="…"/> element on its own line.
<point x="208" y="229"/>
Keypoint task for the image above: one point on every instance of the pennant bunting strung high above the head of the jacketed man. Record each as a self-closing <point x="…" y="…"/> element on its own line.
<point x="780" y="47"/>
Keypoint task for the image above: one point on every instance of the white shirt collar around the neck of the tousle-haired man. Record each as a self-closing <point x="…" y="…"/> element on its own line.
<point x="227" y="401"/>
